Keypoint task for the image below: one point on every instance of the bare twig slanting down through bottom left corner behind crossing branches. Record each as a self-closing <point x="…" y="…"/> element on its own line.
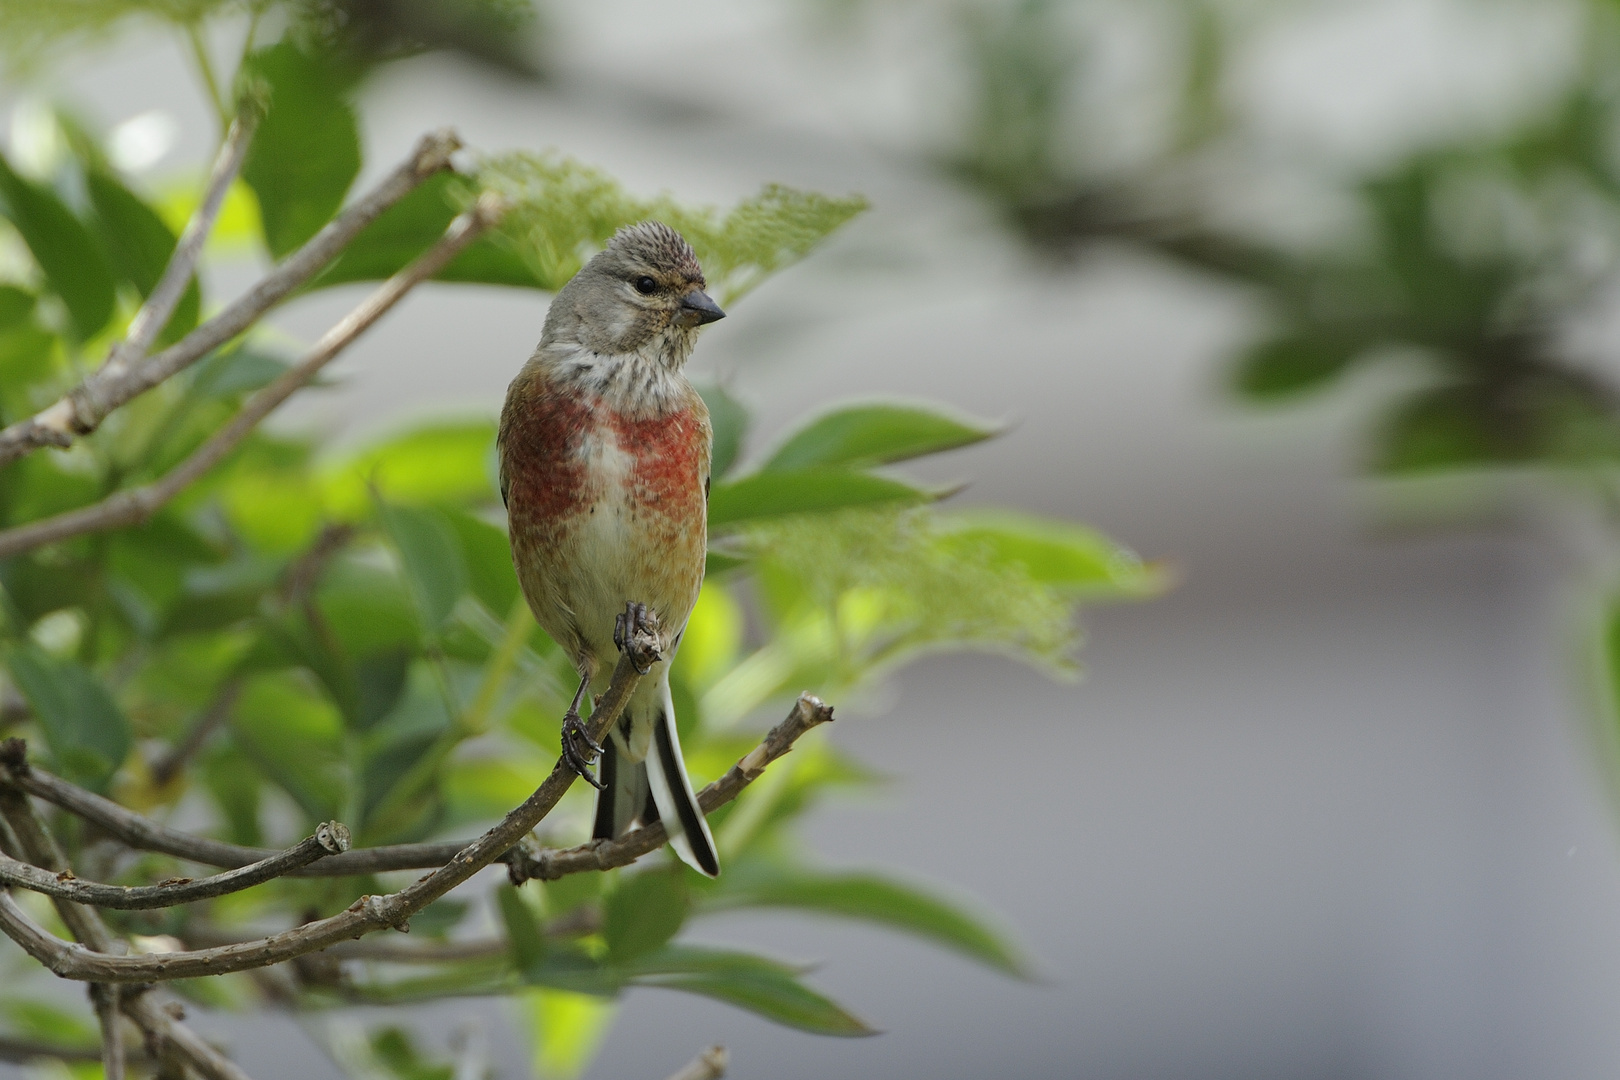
<point x="166" y="1037"/>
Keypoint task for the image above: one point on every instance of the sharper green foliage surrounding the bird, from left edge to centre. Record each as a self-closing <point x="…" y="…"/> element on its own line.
<point x="309" y="636"/>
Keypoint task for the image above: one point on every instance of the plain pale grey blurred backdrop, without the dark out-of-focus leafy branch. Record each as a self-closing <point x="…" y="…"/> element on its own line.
<point x="1328" y="810"/>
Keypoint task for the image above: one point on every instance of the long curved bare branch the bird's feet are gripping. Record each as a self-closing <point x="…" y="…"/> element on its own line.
<point x="365" y="916"/>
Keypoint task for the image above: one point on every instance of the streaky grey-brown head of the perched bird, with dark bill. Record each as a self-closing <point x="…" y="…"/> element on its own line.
<point x="639" y="296"/>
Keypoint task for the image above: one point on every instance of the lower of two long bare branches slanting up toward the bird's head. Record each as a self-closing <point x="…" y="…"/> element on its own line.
<point x="139" y="504"/>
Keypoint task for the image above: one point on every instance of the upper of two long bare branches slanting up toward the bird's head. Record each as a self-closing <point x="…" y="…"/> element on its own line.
<point x="88" y="406"/>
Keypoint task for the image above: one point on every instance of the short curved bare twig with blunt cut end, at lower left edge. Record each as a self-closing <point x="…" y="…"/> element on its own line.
<point x="330" y="840"/>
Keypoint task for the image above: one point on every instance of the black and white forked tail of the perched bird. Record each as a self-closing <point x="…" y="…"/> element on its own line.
<point x="654" y="789"/>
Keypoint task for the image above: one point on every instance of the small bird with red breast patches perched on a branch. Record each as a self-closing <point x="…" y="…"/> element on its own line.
<point x="605" y="470"/>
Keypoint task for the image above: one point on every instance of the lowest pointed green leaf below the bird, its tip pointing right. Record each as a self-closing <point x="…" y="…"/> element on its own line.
<point x="764" y="987"/>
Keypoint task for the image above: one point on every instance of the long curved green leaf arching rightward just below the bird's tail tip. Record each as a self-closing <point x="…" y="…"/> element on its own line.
<point x="876" y="899"/>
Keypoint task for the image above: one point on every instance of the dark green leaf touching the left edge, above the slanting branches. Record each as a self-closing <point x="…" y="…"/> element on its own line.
<point x="74" y="263"/>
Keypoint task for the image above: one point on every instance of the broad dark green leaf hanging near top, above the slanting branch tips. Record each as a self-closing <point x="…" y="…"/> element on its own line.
<point x="307" y="150"/>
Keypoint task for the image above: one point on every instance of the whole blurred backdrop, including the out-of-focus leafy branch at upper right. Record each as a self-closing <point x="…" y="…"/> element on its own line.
<point x="1315" y="302"/>
